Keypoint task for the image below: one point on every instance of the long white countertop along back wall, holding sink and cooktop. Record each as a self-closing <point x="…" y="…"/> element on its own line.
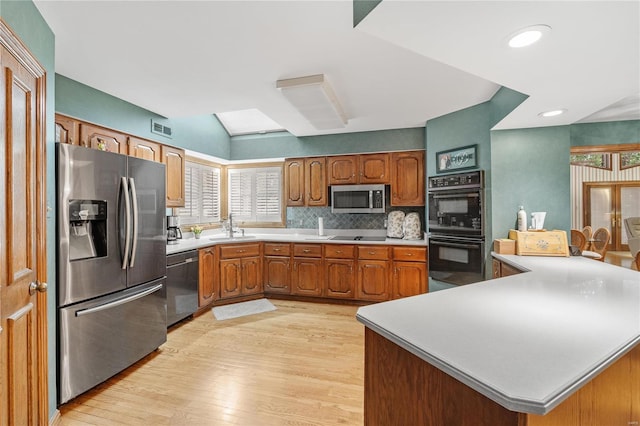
<point x="283" y="235"/>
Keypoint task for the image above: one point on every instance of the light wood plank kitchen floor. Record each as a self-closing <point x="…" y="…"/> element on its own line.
<point x="299" y="365"/>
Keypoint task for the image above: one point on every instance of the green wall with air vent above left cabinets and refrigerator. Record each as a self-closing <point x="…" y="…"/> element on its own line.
<point x="200" y="133"/>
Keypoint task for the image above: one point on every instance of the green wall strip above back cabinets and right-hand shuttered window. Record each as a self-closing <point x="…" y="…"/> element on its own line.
<point x="284" y="144"/>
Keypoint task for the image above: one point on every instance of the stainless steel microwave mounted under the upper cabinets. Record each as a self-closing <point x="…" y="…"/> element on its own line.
<point x="357" y="198"/>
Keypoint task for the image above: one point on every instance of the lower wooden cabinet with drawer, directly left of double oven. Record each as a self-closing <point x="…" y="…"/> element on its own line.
<point x="409" y="271"/>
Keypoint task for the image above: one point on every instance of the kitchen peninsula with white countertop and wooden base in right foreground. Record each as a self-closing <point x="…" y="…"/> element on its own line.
<point x="555" y="345"/>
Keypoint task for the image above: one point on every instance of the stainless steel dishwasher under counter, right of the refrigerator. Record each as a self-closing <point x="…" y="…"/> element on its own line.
<point x="182" y="285"/>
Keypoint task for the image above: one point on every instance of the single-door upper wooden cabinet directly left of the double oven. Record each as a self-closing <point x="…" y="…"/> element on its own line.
<point x="407" y="178"/>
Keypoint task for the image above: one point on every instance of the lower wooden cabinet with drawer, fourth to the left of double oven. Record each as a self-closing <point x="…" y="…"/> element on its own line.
<point x="307" y="270"/>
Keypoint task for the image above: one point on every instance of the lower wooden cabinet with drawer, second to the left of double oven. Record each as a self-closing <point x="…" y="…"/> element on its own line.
<point x="373" y="279"/>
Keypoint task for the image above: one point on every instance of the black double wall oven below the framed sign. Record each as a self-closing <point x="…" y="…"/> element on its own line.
<point x="456" y="227"/>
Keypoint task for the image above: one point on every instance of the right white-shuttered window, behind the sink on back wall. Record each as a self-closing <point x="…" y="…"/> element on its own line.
<point x="255" y="194"/>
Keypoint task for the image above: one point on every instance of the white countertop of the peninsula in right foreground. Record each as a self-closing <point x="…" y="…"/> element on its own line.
<point x="526" y="341"/>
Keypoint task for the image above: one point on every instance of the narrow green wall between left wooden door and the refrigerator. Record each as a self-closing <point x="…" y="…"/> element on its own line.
<point x="25" y="20"/>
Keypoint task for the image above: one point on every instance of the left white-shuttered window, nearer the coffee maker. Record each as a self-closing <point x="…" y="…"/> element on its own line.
<point x="202" y="194"/>
